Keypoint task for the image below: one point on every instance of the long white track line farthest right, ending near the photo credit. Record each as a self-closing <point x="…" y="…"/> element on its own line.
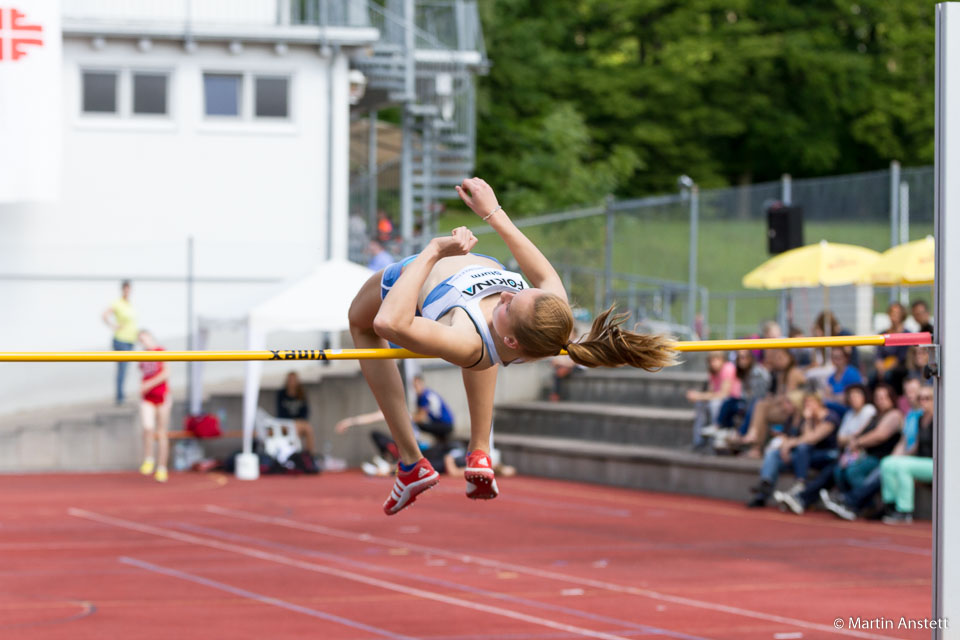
<point x="541" y="573"/>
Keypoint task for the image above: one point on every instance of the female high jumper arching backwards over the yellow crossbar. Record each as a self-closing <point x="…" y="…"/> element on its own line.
<point x="470" y="311"/>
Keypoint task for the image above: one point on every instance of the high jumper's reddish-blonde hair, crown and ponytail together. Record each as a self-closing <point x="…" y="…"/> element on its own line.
<point x="548" y="330"/>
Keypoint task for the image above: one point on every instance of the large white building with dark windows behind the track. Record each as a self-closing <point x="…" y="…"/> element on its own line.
<point x="222" y="121"/>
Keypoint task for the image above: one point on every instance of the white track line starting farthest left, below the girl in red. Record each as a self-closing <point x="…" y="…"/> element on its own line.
<point x="340" y="573"/>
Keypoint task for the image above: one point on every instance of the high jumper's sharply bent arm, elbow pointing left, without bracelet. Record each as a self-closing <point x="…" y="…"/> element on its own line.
<point x="397" y="319"/>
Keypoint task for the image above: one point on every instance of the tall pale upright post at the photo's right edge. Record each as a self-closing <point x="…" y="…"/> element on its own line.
<point x="946" y="494"/>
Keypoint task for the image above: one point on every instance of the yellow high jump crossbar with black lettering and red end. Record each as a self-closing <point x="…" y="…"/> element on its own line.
<point x="904" y="339"/>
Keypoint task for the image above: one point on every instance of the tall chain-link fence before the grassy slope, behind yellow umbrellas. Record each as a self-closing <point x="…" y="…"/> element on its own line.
<point x="637" y="252"/>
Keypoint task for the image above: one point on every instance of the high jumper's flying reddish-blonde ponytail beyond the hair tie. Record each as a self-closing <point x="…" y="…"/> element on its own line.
<point x="610" y="345"/>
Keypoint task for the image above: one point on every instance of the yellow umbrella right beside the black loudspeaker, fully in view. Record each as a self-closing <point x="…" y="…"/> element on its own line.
<point x="825" y="264"/>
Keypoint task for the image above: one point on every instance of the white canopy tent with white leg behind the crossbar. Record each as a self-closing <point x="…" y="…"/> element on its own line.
<point x="318" y="302"/>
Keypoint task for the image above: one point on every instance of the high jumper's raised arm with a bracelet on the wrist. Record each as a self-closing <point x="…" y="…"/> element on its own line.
<point x="479" y="196"/>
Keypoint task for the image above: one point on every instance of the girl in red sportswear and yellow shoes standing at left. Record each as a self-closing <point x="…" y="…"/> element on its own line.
<point x="154" y="412"/>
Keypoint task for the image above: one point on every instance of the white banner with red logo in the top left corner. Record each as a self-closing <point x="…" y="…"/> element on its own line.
<point x="31" y="114"/>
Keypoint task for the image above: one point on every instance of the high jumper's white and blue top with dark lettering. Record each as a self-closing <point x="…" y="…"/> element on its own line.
<point x="465" y="289"/>
